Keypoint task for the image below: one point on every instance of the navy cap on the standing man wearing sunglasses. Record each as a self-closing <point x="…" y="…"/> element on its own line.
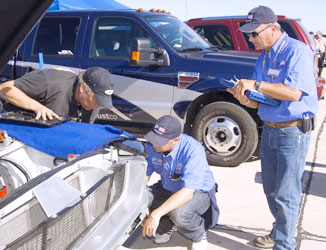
<point x="256" y="17"/>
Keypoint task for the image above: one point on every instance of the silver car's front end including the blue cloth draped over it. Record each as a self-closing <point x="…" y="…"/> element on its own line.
<point x="87" y="199"/>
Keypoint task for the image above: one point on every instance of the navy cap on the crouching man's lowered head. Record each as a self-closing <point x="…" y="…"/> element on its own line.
<point x="165" y="129"/>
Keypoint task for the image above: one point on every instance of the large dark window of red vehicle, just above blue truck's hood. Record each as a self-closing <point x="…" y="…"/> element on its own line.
<point x="218" y="35"/>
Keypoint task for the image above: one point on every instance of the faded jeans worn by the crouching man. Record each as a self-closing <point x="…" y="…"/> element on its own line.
<point x="188" y="218"/>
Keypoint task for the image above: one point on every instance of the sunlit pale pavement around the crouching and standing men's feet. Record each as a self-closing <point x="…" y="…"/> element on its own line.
<point x="244" y="210"/>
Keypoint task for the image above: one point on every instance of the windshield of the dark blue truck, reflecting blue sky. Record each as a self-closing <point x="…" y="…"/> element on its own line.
<point x="178" y="34"/>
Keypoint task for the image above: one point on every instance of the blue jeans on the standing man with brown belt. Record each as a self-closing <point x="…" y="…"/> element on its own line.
<point x="283" y="152"/>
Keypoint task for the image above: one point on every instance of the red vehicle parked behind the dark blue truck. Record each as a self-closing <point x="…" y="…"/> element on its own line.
<point x="222" y="32"/>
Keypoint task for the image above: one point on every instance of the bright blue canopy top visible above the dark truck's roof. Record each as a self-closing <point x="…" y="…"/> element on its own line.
<point x="85" y="4"/>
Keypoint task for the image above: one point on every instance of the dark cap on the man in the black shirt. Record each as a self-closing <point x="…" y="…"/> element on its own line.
<point x="99" y="80"/>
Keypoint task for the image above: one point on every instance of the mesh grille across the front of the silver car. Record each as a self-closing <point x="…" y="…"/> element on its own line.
<point x="29" y="228"/>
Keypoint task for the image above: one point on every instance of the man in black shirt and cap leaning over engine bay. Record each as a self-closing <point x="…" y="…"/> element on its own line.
<point x="51" y="93"/>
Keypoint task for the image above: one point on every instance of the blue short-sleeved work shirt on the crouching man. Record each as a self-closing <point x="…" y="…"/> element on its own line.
<point x="187" y="161"/>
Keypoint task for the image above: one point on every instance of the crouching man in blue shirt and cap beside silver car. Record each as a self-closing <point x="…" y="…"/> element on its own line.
<point x="185" y="195"/>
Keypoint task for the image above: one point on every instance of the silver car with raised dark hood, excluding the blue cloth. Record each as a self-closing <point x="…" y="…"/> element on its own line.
<point x="88" y="201"/>
